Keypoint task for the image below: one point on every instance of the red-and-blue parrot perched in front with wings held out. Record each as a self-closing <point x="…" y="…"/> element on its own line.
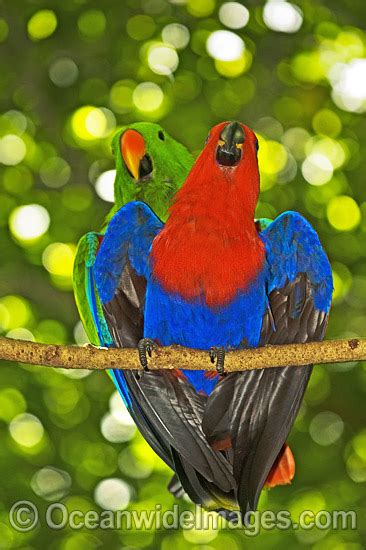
<point x="211" y="279"/>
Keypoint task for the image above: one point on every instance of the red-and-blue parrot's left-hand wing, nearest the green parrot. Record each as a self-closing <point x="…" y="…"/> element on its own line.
<point x="165" y="406"/>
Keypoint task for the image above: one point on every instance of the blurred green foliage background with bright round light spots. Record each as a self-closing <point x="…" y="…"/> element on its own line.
<point x="72" y="71"/>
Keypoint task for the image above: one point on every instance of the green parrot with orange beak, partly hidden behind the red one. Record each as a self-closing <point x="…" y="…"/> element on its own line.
<point x="150" y="167"/>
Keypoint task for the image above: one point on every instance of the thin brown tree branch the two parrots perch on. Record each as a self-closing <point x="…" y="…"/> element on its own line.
<point x="90" y="357"/>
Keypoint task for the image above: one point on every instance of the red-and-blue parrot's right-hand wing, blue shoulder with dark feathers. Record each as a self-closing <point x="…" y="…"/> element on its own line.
<point x="256" y="409"/>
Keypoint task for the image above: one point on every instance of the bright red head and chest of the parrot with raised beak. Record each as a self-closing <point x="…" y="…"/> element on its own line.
<point x="209" y="246"/>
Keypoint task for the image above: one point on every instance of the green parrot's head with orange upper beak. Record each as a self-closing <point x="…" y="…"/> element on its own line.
<point x="151" y="166"/>
